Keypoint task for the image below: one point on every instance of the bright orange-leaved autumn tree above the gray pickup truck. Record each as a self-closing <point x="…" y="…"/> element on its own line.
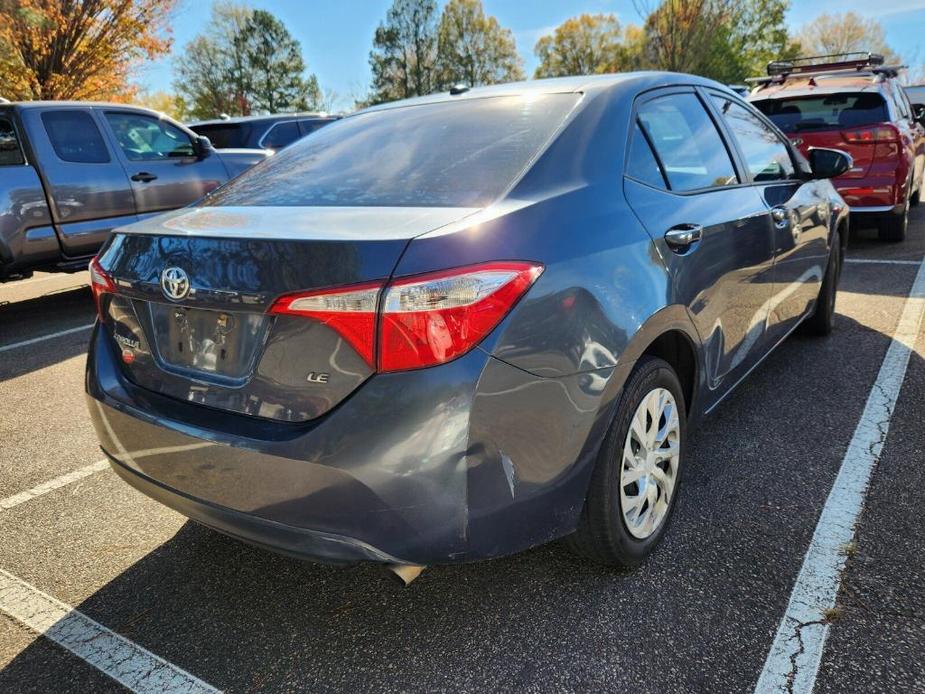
<point x="78" y="49"/>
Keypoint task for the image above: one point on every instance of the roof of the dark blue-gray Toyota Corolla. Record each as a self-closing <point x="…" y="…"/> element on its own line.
<point x="614" y="82"/>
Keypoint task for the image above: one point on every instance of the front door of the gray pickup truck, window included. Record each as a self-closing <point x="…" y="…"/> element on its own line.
<point x="161" y="161"/>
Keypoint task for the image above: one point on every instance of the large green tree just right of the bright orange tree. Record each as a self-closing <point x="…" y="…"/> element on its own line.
<point x="245" y="61"/>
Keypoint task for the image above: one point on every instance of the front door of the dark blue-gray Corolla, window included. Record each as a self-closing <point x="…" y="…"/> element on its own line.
<point x="797" y="214"/>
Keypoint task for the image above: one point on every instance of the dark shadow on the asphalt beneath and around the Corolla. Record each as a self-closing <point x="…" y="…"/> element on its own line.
<point x="244" y="619"/>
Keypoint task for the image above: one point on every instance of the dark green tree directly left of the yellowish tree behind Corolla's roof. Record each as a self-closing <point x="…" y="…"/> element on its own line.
<point x="403" y="59"/>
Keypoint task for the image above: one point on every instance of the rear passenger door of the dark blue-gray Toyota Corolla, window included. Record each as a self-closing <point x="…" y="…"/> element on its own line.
<point x="708" y="225"/>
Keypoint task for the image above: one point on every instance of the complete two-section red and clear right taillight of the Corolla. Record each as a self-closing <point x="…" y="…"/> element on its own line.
<point x="423" y="320"/>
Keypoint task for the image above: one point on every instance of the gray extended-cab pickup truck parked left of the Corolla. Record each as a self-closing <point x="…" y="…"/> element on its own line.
<point x="71" y="171"/>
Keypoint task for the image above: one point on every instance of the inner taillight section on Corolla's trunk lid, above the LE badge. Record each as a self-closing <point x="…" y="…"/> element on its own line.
<point x="350" y="311"/>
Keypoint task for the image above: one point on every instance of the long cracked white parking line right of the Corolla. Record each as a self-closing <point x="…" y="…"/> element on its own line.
<point x="793" y="661"/>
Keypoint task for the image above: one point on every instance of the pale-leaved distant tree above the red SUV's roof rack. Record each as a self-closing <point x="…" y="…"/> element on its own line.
<point x="844" y="33"/>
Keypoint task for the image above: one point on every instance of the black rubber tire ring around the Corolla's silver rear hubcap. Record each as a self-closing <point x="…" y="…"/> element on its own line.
<point x="650" y="373"/>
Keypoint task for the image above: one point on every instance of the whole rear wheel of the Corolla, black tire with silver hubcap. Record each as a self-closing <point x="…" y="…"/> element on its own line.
<point x="605" y="534"/>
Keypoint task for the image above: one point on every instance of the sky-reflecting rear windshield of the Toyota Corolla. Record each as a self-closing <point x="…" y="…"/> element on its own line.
<point x="446" y="154"/>
